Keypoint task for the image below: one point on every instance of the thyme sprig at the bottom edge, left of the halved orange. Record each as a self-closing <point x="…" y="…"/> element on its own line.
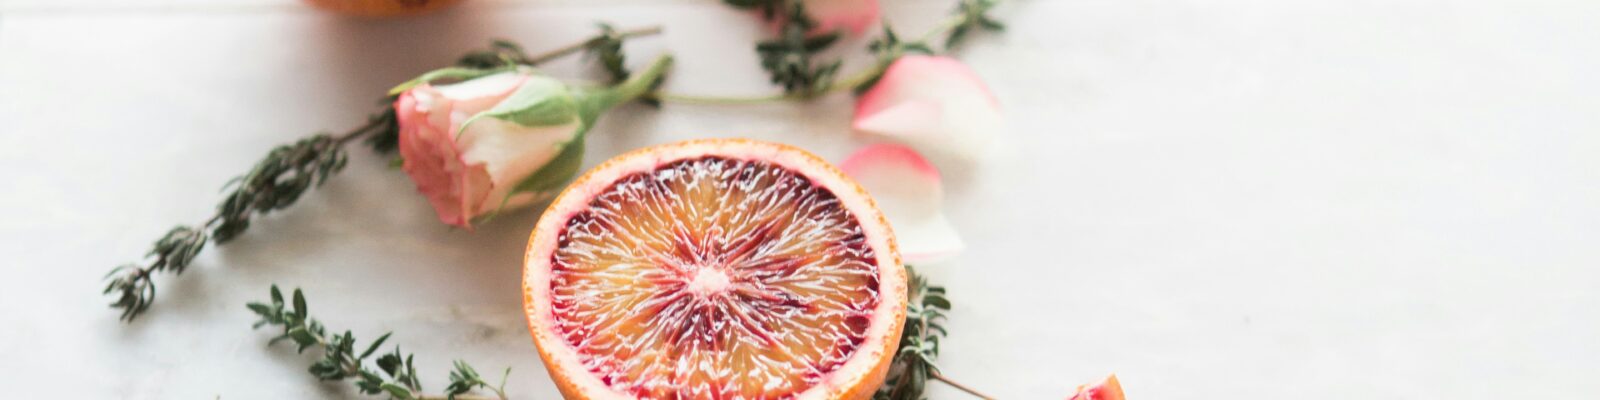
<point x="340" y="361"/>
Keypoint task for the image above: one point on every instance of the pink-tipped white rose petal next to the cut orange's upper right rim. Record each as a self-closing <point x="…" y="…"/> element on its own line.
<point x="911" y="196"/>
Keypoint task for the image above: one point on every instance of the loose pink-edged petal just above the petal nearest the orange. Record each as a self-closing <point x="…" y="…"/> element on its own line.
<point x="935" y="105"/>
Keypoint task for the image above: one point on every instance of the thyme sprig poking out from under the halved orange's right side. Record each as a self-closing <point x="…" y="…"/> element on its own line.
<point x="914" y="362"/>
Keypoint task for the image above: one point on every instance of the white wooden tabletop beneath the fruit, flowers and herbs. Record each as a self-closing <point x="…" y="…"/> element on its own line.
<point x="1212" y="199"/>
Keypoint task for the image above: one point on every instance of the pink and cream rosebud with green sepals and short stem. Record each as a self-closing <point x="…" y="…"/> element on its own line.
<point x="498" y="138"/>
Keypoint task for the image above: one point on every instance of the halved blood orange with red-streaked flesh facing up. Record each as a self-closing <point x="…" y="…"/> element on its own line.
<point x="714" y="270"/>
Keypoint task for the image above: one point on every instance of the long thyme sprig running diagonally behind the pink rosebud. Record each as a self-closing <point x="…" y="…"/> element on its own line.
<point x="292" y="170"/>
